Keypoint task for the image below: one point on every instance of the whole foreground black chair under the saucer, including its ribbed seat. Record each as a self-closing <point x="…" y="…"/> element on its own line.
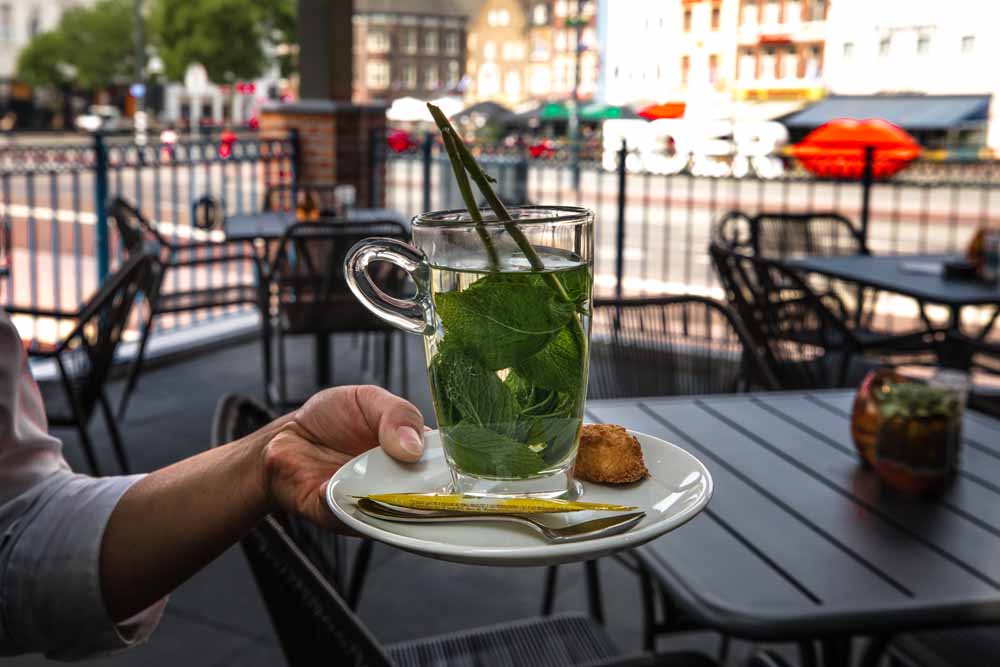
<point x="314" y="624"/>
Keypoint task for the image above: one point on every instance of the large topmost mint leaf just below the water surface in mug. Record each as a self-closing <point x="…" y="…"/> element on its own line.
<point x="506" y="318"/>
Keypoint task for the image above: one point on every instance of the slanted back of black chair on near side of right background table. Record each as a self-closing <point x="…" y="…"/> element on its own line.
<point x="792" y="326"/>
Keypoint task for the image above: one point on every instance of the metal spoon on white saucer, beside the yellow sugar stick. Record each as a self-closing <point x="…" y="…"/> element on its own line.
<point x="584" y="530"/>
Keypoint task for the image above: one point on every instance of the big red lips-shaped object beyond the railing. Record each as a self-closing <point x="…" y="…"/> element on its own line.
<point x="837" y="148"/>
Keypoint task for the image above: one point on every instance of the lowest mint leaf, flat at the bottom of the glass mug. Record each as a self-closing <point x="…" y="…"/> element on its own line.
<point x="480" y="451"/>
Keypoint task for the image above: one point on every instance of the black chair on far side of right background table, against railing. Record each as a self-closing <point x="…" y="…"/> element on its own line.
<point x="780" y="236"/>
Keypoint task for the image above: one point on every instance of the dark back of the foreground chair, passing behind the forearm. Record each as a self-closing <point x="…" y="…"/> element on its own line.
<point x="313" y="623"/>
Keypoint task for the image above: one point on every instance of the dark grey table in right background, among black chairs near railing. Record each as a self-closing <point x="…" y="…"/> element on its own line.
<point x="913" y="276"/>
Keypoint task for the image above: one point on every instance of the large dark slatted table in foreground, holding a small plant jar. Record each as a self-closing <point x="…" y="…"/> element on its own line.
<point x="802" y="543"/>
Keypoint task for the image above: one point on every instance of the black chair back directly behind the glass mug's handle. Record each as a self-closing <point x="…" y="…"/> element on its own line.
<point x="307" y="275"/>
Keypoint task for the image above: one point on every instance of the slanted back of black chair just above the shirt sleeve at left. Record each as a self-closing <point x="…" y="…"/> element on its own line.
<point x="88" y="353"/>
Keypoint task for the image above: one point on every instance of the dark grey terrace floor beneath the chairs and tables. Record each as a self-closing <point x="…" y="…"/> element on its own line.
<point x="217" y="618"/>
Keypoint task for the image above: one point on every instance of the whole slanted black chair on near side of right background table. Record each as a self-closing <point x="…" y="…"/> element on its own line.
<point x="805" y="337"/>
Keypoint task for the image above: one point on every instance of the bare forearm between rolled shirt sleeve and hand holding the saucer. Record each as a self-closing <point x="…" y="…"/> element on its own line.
<point x="176" y="520"/>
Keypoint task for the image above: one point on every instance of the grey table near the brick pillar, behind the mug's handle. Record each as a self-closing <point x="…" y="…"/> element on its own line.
<point x="270" y="226"/>
